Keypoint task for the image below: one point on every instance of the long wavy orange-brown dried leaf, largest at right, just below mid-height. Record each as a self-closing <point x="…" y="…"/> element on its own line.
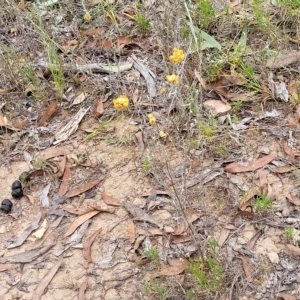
<point x="253" y="165"/>
